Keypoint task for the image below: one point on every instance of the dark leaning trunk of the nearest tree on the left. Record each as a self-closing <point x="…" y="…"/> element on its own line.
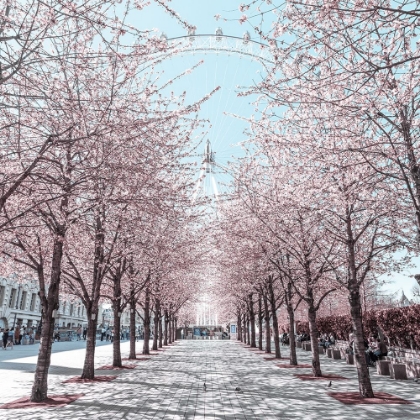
<point x="49" y="303"/>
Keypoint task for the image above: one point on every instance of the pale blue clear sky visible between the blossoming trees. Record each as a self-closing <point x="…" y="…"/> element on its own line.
<point x="230" y="72"/>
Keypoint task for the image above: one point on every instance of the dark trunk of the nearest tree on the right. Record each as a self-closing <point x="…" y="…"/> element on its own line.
<point x="365" y="385"/>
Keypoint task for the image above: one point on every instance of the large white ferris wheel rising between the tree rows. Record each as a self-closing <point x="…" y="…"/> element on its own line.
<point x="232" y="63"/>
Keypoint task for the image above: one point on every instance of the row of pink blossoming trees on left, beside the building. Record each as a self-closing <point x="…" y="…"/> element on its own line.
<point x="95" y="182"/>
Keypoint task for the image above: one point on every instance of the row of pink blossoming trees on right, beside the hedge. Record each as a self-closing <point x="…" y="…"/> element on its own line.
<point x="327" y="199"/>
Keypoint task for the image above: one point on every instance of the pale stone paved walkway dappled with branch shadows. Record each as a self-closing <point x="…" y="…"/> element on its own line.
<point x="170" y="386"/>
